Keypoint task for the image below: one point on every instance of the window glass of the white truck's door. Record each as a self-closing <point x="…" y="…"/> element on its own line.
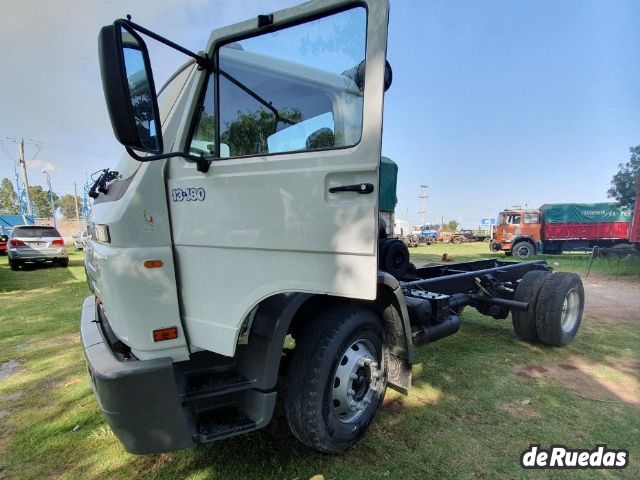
<point x="294" y="89"/>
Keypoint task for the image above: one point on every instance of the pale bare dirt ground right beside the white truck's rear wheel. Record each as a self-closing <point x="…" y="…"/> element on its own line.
<point x="610" y="300"/>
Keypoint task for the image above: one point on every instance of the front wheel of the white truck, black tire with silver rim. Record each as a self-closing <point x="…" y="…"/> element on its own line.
<point x="320" y="376"/>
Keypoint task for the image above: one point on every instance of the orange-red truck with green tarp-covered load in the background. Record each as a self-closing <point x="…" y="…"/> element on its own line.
<point x="554" y="228"/>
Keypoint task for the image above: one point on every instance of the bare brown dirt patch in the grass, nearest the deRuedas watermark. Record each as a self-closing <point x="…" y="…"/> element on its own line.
<point x="612" y="380"/>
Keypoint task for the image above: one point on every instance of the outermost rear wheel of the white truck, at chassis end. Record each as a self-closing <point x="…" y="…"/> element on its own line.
<point x="559" y="309"/>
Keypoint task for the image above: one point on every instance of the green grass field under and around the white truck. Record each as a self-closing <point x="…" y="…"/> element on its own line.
<point x="469" y="415"/>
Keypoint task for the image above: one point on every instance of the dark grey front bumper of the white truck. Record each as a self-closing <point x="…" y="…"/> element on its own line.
<point x="139" y="398"/>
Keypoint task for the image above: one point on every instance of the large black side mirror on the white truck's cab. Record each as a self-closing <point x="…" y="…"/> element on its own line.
<point x="129" y="90"/>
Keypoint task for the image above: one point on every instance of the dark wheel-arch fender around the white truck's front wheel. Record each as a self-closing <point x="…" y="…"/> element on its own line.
<point x="275" y="317"/>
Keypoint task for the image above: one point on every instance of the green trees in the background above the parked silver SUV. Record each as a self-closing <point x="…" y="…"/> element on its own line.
<point x="40" y="199"/>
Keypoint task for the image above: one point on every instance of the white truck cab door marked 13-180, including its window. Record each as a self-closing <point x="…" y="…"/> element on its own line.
<point x="291" y="202"/>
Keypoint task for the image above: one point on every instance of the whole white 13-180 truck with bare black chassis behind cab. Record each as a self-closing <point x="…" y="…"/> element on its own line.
<point x="246" y="211"/>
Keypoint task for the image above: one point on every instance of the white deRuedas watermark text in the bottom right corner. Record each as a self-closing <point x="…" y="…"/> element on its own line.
<point x="561" y="457"/>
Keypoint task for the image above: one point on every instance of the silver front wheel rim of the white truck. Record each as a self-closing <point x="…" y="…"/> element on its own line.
<point x="356" y="381"/>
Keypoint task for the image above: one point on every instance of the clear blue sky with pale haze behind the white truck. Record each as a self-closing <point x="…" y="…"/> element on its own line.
<point x="494" y="103"/>
